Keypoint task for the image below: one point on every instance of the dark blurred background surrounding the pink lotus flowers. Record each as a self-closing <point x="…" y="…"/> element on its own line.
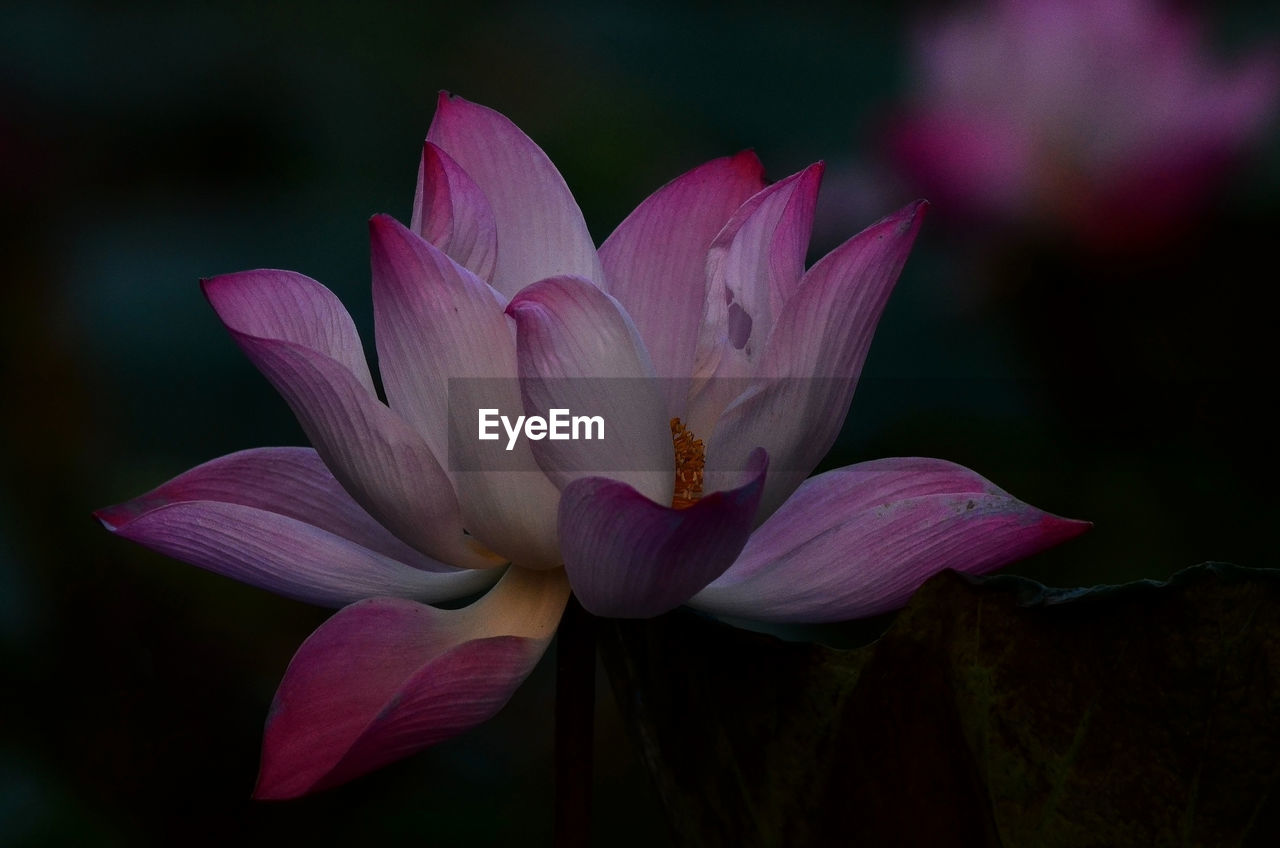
<point x="147" y="145"/>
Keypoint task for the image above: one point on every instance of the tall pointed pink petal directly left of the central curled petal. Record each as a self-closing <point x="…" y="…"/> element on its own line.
<point x="437" y="326"/>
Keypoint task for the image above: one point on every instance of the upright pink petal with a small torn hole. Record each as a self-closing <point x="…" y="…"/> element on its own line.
<point x="753" y="268"/>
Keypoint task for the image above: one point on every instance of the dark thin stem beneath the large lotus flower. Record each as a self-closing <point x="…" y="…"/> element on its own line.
<point x="575" y="726"/>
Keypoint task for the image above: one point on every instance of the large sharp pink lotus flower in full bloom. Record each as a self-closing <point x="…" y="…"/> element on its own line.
<point x="497" y="277"/>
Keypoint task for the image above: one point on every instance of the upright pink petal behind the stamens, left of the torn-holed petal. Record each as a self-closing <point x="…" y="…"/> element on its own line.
<point x="656" y="261"/>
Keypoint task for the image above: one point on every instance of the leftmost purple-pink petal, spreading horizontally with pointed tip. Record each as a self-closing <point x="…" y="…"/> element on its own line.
<point x="276" y="518"/>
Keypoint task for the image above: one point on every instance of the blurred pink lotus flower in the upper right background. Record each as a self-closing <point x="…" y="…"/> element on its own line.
<point x="1100" y="116"/>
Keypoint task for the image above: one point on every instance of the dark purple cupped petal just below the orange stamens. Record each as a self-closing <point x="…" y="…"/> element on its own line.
<point x="630" y="558"/>
